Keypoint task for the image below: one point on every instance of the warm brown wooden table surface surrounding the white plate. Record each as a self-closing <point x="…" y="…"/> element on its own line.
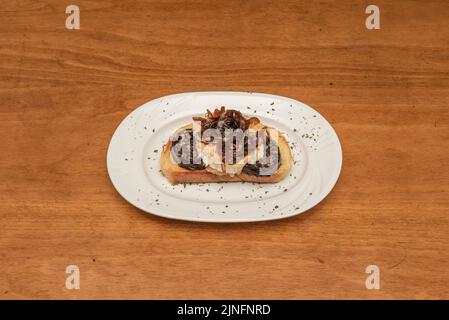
<point x="63" y="93"/>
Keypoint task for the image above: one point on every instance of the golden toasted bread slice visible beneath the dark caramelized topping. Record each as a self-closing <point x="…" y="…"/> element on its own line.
<point x="176" y="174"/>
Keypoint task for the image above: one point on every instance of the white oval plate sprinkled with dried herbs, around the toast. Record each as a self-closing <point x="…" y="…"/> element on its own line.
<point x="135" y="147"/>
